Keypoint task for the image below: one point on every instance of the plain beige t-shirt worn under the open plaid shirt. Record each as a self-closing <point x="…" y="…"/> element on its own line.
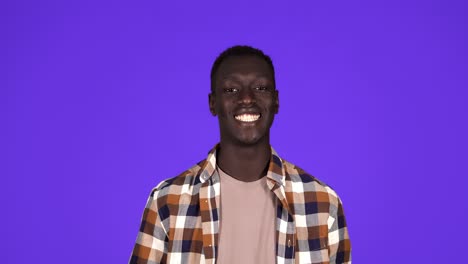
<point x="247" y="223"/>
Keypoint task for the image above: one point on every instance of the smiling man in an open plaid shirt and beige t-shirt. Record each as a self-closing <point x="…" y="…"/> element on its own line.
<point x="243" y="204"/>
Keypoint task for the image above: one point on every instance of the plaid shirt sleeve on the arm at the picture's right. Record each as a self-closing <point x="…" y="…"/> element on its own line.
<point x="338" y="238"/>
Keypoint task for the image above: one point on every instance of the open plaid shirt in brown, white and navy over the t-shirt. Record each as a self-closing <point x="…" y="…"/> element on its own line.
<point x="181" y="220"/>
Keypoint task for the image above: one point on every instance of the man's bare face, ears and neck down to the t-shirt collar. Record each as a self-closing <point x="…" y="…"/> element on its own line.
<point x="245" y="100"/>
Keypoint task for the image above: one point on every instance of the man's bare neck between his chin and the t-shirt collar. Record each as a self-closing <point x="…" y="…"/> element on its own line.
<point x="245" y="163"/>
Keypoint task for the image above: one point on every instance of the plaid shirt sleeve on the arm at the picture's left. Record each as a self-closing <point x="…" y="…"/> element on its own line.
<point x="152" y="240"/>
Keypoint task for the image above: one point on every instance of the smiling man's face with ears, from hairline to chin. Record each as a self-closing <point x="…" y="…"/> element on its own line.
<point x="244" y="99"/>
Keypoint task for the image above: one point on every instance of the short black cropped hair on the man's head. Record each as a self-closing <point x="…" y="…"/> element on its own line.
<point x="239" y="50"/>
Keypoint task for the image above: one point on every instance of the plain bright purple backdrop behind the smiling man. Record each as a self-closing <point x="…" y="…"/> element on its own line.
<point x="102" y="100"/>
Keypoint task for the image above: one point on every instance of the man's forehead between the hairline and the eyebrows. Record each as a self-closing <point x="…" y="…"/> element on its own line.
<point x="244" y="65"/>
